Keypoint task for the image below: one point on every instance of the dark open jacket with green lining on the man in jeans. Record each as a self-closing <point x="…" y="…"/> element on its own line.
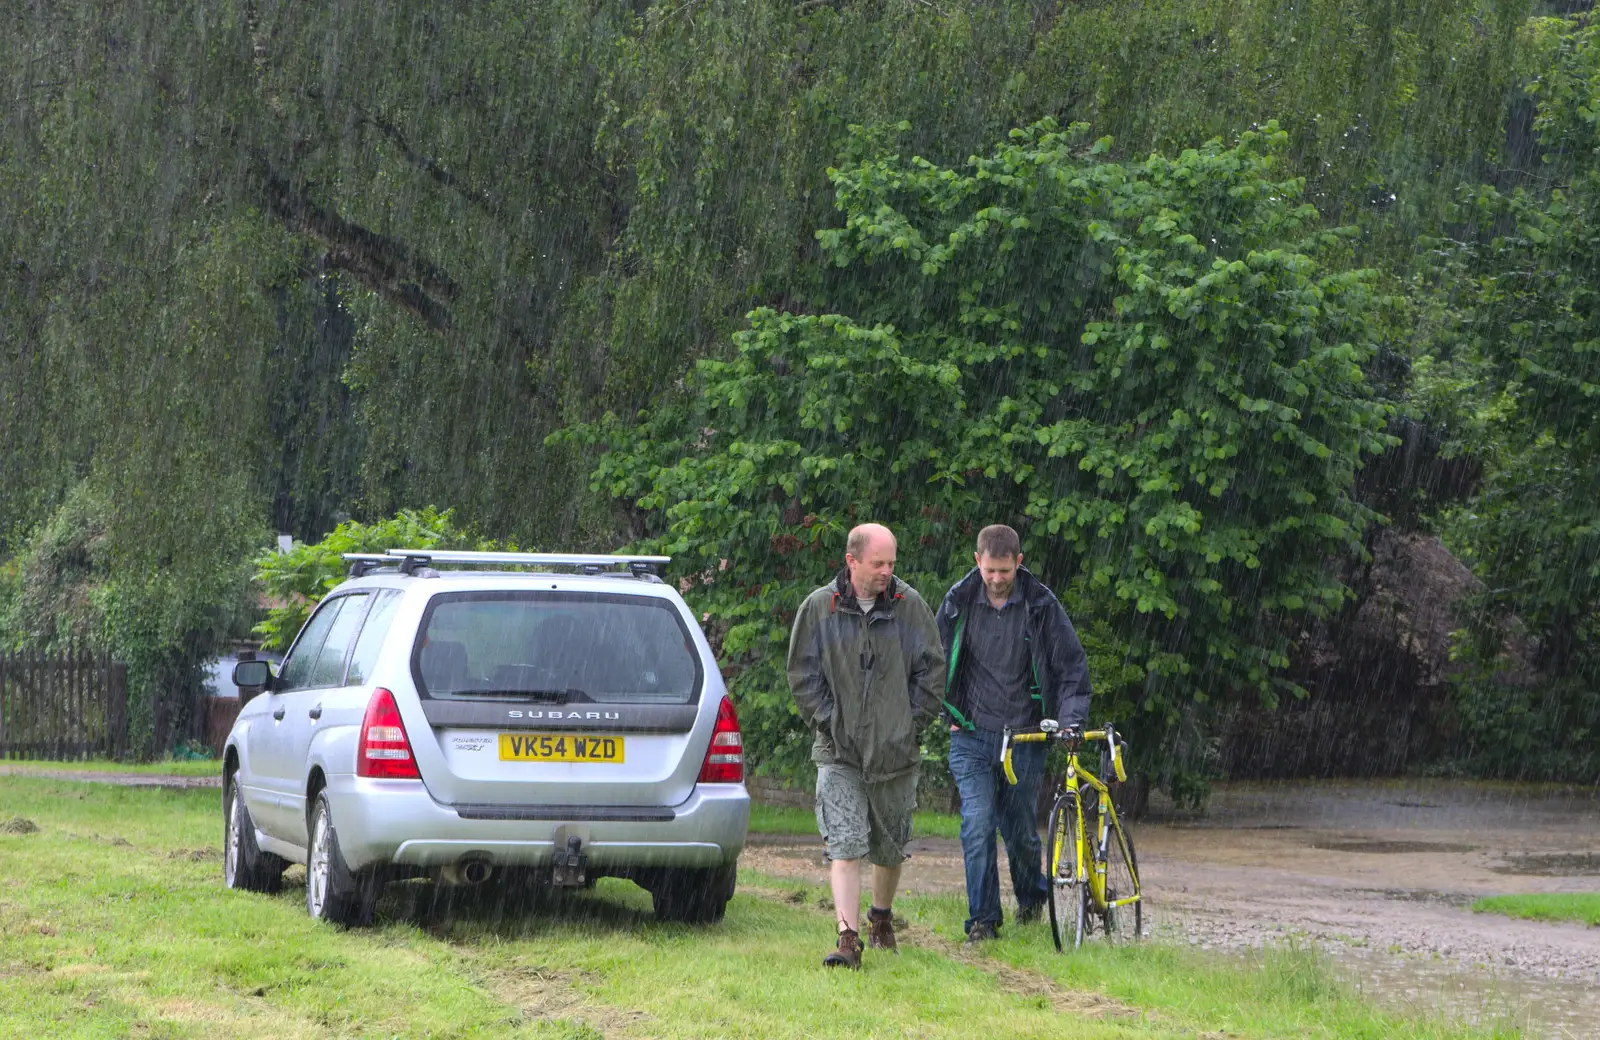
<point x="1062" y="671"/>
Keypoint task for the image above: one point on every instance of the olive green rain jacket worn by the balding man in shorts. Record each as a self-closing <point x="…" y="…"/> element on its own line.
<point x="866" y="684"/>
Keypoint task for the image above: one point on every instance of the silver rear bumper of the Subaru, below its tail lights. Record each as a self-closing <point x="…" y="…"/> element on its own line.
<point x="370" y="815"/>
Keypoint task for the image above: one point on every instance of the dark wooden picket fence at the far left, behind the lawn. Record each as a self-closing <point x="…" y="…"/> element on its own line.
<point x="63" y="706"/>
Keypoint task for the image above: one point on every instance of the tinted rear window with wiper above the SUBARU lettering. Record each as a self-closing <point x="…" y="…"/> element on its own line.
<point x="556" y="649"/>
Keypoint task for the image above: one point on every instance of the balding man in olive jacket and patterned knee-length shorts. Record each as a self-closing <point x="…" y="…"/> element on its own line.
<point x="866" y="671"/>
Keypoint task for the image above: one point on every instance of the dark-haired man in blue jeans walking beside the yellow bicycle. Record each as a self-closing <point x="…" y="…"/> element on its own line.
<point x="1014" y="662"/>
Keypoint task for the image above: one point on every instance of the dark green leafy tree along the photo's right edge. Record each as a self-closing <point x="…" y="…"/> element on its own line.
<point x="1521" y="358"/>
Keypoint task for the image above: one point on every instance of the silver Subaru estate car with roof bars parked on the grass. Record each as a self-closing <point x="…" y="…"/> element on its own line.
<point x="545" y="726"/>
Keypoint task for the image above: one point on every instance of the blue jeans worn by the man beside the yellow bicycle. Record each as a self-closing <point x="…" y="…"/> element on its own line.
<point x="990" y="802"/>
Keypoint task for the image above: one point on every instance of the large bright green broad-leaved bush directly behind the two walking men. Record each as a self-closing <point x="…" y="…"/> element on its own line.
<point x="1151" y="369"/>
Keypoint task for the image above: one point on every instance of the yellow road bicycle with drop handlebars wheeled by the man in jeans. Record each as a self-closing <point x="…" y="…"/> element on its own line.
<point x="1094" y="873"/>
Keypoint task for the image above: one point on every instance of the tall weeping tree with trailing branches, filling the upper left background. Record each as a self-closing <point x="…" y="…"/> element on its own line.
<point x="366" y="255"/>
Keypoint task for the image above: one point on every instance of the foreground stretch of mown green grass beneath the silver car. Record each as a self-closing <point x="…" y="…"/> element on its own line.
<point x="114" y="922"/>
